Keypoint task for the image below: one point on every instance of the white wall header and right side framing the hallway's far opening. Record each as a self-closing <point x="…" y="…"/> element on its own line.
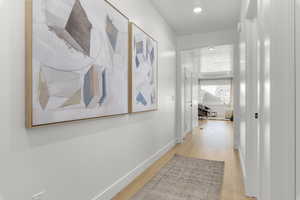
<point x="190" y="42"/>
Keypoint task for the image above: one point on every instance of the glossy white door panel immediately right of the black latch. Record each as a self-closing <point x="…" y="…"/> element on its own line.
<point x="263" y="125"/>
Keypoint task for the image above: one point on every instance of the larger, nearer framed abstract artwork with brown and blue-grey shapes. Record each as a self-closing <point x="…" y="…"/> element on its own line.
<point x="77" y="61"/>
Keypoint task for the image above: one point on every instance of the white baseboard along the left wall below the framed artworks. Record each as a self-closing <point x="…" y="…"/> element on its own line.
<point x="122" y="182"/>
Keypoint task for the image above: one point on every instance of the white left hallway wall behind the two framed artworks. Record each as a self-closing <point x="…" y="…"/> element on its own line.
<point x="78" y="160"/>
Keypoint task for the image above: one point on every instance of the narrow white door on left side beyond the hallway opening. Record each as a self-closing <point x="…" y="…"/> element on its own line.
<point x="188" y="104"/>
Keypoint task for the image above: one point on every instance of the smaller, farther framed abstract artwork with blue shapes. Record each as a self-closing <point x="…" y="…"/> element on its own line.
<point x="144" y="71"/>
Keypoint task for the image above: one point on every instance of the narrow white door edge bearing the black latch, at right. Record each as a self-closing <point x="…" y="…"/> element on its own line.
<point x="252" y="165"/>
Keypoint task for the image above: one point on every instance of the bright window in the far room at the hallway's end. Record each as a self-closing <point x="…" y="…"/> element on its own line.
<point x="215" y="92"/>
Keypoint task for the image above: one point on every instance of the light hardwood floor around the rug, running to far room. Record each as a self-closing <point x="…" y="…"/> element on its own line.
<point x="212" y="140"/>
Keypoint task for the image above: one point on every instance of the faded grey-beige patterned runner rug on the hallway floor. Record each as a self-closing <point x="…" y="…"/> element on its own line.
<point x="185" y="179"/>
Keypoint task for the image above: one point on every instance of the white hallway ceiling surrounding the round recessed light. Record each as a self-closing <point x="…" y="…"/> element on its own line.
<point x="216" y="15"/>
